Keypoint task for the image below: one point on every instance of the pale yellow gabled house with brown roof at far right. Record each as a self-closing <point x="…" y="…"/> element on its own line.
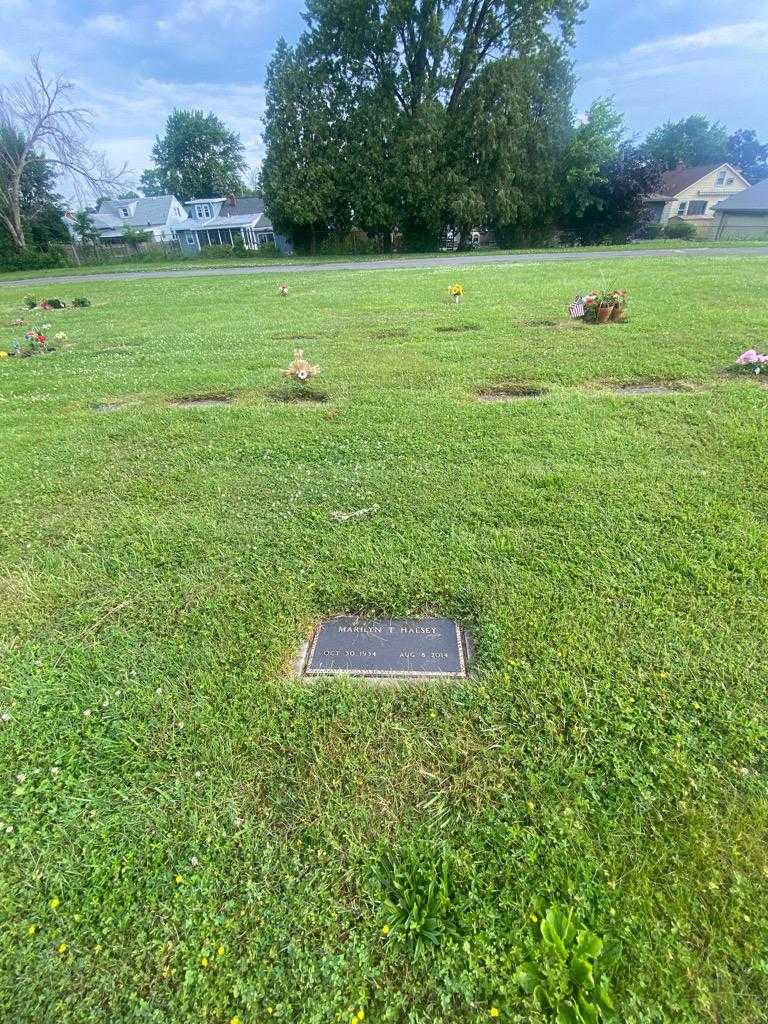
<point x="693" y="194"/>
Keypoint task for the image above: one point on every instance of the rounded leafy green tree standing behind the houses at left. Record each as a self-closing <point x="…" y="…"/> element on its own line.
<point x="198" y="156"/>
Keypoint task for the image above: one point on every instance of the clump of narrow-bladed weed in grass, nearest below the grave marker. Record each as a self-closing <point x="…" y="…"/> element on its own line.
<point x="416" y="899"/>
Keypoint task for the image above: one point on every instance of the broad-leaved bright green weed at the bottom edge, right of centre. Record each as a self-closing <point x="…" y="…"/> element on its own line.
<point x="566" y="972"/>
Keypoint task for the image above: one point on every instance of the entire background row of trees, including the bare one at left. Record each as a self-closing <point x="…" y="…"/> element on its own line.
<point x="409" y="116"/>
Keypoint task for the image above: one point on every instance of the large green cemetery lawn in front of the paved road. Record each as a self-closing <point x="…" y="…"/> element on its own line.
<point x="192" y="836"/>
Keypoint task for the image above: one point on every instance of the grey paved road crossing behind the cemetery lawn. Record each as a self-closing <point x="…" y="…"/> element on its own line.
<point x="415" y="264"/>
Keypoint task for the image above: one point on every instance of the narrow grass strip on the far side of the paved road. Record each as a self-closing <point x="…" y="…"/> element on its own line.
<point x="121" y="267"/>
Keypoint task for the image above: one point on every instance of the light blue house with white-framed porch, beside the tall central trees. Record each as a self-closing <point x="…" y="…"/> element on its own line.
<point x="228" y="222"/>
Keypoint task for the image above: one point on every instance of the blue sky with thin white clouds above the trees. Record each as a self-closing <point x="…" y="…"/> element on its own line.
<point x="135" y="61"/>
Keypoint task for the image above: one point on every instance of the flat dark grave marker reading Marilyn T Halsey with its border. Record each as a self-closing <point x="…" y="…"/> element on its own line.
<point x="387" y="650"/>
